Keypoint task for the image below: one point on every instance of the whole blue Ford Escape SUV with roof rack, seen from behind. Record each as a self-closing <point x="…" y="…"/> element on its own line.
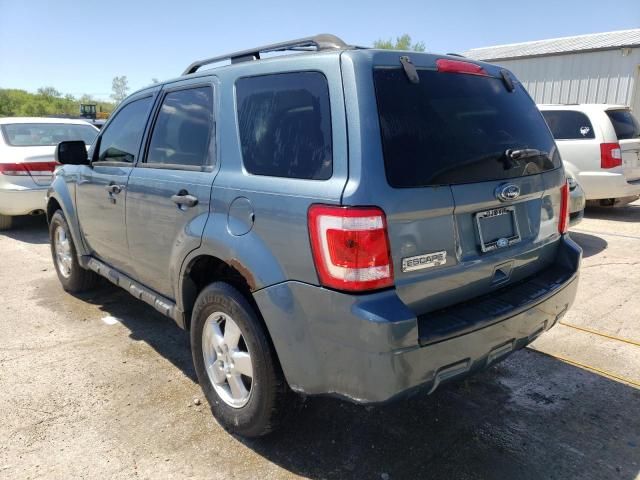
<point x="337" y="220"/>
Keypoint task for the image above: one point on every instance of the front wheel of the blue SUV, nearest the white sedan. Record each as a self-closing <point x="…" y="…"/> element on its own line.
<point x="72" y="276"/>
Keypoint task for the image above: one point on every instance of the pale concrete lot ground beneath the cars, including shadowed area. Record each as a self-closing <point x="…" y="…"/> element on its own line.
<point x="102" y="386"/>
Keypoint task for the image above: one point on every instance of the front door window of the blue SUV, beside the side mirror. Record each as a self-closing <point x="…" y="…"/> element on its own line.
<point x="121" y="139"/>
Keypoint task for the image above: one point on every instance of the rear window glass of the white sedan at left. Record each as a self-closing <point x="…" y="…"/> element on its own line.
<point x="46" y="134"/>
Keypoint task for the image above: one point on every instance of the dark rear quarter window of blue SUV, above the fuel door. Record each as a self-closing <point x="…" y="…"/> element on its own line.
<point x="285" y="125"/>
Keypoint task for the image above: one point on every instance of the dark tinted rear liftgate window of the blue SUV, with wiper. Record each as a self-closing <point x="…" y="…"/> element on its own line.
<point x="454" y="128"/>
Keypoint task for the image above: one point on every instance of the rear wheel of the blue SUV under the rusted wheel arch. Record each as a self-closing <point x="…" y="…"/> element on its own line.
<point x="235" y="362"/>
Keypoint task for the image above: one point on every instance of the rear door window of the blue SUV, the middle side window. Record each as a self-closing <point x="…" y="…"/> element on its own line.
<point x="183" y="128"/>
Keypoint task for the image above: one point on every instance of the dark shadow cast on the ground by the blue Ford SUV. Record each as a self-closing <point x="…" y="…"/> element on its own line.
<point x="530" y="417"/>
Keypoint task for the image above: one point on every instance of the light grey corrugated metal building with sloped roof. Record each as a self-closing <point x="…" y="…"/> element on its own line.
<point x="594" y="68"/>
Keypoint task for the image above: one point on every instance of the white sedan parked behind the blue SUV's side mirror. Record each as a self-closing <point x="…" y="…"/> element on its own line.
<point x="27" y="149"/>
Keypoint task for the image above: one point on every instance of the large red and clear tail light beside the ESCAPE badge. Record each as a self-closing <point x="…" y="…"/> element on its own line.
<point x="350" y="247"/>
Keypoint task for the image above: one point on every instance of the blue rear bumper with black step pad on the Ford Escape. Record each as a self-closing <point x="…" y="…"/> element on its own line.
<point x="372" y="348"/>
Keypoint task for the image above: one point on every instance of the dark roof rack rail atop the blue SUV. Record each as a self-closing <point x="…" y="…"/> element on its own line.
<point x="324" y="41"/>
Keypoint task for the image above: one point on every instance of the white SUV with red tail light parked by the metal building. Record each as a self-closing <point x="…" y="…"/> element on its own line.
<point x="600" y="146"/>
